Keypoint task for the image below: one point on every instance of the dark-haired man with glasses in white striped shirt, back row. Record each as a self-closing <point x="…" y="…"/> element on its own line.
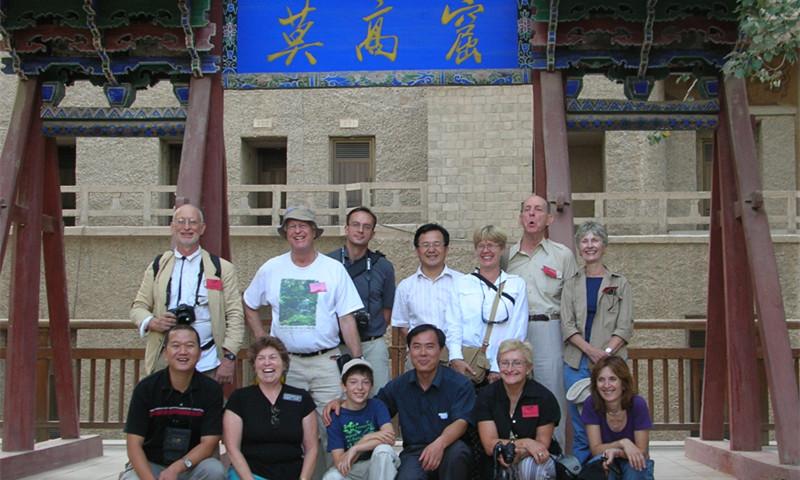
<point x="426" y="295"/>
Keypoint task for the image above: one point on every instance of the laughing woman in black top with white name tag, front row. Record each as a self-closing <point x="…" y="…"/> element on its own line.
<point x="270" y="429"/>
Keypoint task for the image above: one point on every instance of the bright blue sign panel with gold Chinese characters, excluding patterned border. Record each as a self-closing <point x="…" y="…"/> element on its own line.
<point x="375" y="35"/>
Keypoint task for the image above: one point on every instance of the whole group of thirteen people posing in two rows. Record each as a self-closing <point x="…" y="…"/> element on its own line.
<point x="491" y="356"/>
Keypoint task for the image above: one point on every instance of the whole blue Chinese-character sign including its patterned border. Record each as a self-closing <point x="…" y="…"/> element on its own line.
<point x="327" y="43"/>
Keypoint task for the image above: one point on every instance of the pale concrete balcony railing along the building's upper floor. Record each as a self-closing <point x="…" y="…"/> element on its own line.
<point x="109" y="207"/>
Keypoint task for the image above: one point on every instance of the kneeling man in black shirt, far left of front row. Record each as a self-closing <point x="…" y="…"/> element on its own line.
<point x="175" y="417"/>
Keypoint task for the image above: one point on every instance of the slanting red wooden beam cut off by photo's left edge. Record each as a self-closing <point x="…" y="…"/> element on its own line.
<point x="13" y="151"/>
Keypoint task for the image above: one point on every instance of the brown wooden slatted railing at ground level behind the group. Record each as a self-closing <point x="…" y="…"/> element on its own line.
<point x="669" y="378"/>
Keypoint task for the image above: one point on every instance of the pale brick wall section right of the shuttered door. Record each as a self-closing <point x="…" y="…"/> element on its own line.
<point x="479" y="155"/>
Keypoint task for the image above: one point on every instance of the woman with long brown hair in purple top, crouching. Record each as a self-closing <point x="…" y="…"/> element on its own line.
<point x="618" y="421"/>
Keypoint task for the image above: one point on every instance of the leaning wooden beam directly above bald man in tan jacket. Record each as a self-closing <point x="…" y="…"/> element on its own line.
<point x="190" y="174"/>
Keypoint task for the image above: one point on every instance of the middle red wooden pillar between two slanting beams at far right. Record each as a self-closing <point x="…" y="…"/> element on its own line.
<point x="743" y="400"/>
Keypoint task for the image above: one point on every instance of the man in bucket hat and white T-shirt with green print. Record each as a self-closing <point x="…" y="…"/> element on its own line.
<point x="312" y="299"/>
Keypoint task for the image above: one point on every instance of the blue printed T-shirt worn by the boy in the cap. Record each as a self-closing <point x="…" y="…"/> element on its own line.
<point x="347" y="428"/>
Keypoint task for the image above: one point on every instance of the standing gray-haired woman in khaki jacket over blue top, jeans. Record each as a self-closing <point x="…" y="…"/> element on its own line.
<point x="596" y="319"/>
